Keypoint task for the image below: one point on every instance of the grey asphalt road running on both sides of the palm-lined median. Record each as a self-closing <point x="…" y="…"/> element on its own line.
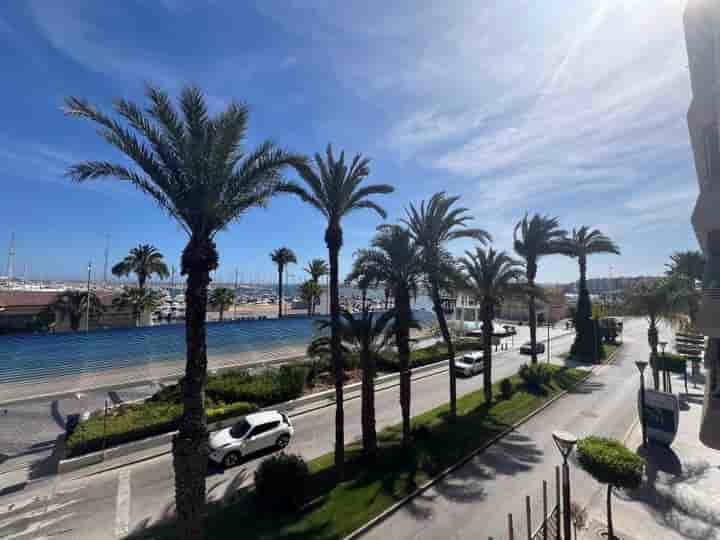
<point x="110" y="504"/>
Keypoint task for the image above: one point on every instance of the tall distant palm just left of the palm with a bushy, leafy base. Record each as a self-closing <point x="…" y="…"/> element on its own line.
<point x="533" y="239"/>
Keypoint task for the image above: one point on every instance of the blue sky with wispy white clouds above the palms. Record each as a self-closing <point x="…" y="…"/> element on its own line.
<point x="575" y="109"/>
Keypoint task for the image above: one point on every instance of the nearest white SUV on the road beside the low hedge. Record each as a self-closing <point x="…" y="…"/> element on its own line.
<point x="255" y="432"/>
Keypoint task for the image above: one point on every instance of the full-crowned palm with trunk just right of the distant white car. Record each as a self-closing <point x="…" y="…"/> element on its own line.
<point x="492" y="276"/>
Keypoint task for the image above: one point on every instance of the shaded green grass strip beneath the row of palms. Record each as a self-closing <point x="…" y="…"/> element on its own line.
<point x="332" y="511"/>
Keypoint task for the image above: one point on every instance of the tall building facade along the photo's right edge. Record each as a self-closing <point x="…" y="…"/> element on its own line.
<point x="702" y="36"/>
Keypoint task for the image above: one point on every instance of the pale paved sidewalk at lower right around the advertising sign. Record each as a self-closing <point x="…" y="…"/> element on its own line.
<point x="680" y="496"/>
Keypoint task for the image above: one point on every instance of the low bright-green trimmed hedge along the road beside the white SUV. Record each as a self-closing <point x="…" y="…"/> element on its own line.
<point x="133" y="422"/>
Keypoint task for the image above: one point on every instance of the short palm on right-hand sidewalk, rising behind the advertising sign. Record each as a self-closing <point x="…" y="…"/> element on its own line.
<point x="660" y="303"/>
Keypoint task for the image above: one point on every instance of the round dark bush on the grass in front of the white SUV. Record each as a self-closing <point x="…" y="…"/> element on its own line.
<point x="281" y="481"/>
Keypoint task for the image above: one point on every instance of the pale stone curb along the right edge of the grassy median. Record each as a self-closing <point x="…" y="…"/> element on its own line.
<point x="357" y="533"/>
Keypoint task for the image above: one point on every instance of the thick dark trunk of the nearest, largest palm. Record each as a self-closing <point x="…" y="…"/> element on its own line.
<point x="190" y="445"/>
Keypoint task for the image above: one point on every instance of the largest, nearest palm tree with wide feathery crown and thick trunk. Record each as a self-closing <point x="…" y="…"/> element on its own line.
<point x="193" y="165"/>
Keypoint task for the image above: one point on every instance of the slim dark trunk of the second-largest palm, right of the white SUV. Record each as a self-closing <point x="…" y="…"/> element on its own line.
<point x="333" y="239"/>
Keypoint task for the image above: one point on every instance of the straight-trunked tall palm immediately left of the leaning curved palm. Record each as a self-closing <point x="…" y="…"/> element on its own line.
<point x="394" y="260"/>
